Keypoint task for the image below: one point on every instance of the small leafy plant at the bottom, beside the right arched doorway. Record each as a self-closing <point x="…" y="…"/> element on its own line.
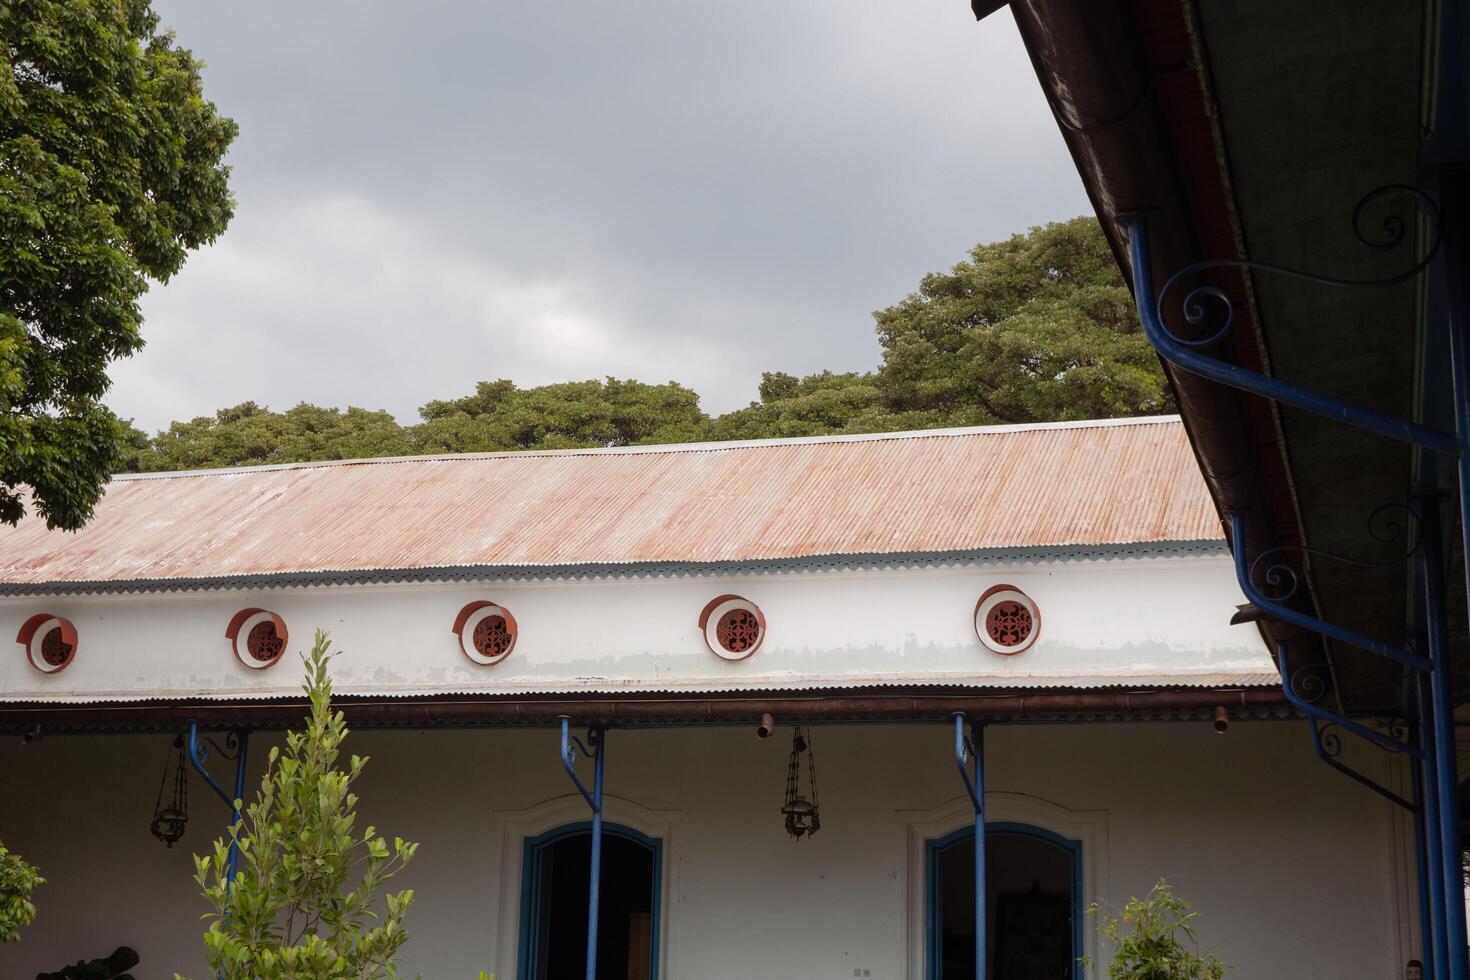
<point x="1155" y="940"/>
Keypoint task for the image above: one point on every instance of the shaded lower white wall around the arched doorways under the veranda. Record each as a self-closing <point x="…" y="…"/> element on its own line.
<point x="1290" y="863"/>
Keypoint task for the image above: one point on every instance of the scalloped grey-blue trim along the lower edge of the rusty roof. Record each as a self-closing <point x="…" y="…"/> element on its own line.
<point x="633" y="569"/>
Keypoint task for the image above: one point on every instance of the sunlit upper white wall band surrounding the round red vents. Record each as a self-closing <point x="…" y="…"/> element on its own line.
<point x="1131" y="621"/>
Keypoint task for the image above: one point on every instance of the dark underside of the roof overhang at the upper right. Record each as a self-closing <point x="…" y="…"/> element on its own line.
<point x="1253" y="134"/>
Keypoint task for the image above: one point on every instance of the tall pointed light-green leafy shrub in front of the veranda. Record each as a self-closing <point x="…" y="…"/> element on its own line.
<point x="305" y="903"/>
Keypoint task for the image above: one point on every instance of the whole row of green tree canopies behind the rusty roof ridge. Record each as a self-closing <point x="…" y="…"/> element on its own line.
<point x="1036" y="328"/>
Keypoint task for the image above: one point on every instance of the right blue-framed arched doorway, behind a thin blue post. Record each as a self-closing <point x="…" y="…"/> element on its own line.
<point x="1034" y="925"/>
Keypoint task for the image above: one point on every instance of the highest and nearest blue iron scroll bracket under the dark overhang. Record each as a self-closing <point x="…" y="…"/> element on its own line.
<point x="1190" y="353"/>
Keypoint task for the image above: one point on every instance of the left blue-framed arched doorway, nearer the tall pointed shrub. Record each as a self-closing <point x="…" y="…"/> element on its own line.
<point x="553" y="904"/>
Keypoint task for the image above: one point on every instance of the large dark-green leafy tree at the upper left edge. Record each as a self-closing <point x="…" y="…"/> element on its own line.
<point x="110" y="176"/>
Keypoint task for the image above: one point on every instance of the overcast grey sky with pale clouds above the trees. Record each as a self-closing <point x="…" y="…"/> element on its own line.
<point x="448" y="192"/>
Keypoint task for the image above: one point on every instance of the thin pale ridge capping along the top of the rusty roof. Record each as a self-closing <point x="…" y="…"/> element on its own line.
<point x="665" y="449"/>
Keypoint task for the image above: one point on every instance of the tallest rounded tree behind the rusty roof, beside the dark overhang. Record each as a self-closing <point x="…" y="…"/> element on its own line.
<point x="1036" y="328"/>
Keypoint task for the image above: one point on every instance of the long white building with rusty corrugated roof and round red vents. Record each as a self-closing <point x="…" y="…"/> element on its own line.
<point x="768" y="637"/>
